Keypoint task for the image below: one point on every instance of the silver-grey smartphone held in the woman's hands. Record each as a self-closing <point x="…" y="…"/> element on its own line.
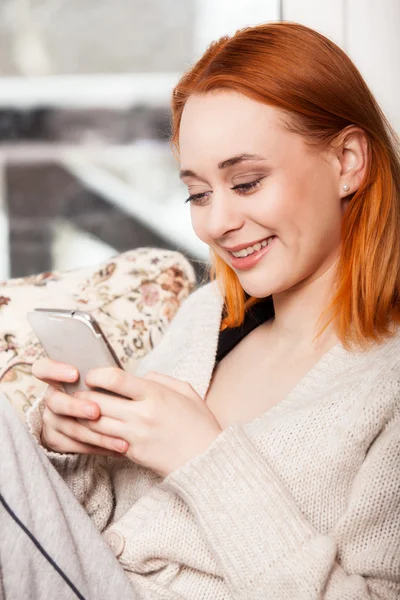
<point x="73" y="337"/>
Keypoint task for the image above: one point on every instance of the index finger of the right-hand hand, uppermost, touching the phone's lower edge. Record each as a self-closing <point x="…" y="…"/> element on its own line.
<point x="120" y="382"/>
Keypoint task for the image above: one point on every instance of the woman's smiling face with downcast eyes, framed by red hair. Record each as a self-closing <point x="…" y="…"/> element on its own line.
<point x="294" y="194"/>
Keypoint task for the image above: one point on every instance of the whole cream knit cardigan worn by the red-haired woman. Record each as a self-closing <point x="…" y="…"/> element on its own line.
<point x="301" y="503"/>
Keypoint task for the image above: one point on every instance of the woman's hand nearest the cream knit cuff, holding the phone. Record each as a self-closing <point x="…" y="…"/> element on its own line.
<point x="164" y="421"/>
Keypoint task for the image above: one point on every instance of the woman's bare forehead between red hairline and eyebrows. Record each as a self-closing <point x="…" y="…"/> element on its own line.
<point x="228" y="123"/>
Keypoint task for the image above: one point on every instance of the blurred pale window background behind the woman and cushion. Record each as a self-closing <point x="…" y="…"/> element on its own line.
<point x="86" y="168"/>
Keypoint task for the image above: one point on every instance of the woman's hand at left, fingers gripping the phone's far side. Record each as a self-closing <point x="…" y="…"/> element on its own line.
<point x="61" y="431"/>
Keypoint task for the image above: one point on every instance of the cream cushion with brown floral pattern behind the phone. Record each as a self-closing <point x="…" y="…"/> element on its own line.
<point x="133" y="296"/>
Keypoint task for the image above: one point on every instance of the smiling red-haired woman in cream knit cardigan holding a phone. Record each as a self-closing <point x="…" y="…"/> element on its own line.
<point x="256" y="458"/>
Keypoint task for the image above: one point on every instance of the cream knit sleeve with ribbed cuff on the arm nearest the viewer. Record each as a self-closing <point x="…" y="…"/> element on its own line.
<point x="267" y="548"/>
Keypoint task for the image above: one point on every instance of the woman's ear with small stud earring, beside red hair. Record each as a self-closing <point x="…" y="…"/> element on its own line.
<point x="352" y="155"/>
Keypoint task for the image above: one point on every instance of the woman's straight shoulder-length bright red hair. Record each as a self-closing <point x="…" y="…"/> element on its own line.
<point x="306" y="75"/>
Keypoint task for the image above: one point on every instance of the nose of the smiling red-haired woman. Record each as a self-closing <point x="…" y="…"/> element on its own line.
<point x="223" y="215"/>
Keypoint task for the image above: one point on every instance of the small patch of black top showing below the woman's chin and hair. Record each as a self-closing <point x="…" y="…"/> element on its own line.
<point x="257" y="314"/>
